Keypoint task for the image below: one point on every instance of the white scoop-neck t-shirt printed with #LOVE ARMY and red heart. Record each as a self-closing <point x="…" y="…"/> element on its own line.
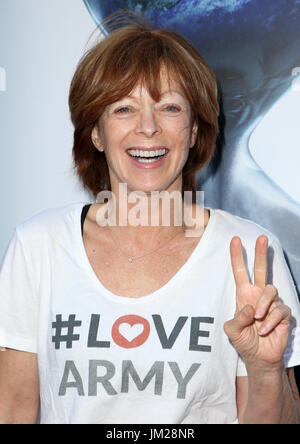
<point x="163" y="358"/>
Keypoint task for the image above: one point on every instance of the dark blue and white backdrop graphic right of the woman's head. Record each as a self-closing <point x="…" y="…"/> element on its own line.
<point x="253" y="48"/>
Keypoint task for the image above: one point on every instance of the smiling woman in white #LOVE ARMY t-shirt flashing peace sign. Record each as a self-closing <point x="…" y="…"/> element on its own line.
<point x="124" y="323"/>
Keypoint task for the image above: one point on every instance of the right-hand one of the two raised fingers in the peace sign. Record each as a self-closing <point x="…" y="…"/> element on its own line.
<point x="261" y="261"/>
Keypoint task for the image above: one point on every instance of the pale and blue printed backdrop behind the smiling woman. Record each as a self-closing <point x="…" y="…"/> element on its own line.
<point x="253" y="46"/>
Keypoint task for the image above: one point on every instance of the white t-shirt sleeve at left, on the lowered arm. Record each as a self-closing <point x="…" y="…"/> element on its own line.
<point x="18" y="298"/>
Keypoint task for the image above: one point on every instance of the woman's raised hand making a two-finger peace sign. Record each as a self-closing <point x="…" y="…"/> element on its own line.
<point x="260" y="328"/>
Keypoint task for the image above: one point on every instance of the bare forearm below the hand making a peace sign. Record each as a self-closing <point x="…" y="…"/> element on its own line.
<point x="270" y="399"/>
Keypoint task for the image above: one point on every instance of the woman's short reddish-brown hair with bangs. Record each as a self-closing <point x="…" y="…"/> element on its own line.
<point x="110" y="70"/>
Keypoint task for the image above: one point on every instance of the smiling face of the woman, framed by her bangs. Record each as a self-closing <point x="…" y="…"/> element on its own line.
<point x="139" y="126"/>
